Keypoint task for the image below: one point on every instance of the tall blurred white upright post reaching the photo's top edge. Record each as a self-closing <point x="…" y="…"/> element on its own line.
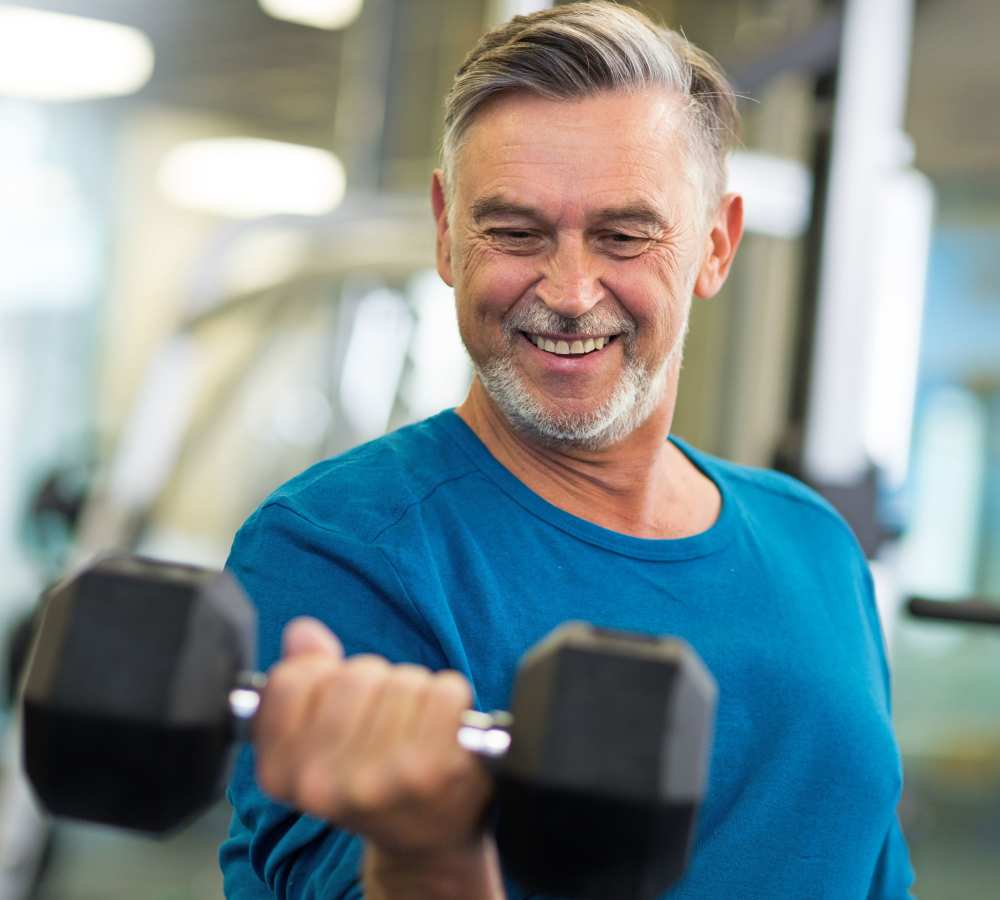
<point x="868" y="153"/>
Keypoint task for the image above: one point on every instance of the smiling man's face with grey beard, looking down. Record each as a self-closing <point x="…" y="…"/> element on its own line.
<point x="574" y="241"/>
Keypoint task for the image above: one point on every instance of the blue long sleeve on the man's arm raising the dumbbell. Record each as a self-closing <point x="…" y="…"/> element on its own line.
<point x="291" y="566"/>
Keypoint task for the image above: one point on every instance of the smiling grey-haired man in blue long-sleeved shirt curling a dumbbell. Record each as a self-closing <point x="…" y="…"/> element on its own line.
<point x="579" y="209"/>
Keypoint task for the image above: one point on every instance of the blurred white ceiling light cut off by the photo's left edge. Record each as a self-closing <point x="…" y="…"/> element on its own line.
<point x="52" y="56"/>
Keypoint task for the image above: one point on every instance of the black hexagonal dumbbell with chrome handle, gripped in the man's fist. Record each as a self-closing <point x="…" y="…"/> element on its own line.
<point x="140" y="680"/>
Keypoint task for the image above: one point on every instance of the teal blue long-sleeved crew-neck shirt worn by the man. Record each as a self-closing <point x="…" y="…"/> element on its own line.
<point x="420" y="546"/>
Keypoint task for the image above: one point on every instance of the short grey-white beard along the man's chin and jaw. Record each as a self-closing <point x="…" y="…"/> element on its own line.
<point x="635" y="396"/>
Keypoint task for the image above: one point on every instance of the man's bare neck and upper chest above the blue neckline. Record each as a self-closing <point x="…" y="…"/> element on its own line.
<point x="643" y="486"/>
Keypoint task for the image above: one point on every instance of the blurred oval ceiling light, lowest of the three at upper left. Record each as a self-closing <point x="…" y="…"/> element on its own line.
<point x="246" y="178"/>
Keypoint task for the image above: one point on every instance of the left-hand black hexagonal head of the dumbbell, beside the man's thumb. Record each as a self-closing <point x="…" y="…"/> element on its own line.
<point x="126" y="697"/>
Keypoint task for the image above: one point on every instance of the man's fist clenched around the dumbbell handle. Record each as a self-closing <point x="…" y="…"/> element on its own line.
<point x="370" y="746"/>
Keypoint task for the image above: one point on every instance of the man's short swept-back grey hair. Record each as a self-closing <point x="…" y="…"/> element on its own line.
<point x="575" y="51"/>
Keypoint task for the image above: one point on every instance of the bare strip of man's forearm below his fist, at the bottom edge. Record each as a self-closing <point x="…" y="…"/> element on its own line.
<point x="466" y="874"/>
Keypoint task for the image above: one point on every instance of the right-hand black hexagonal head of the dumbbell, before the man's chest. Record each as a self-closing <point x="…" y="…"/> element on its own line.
<point x="608" y="765"/>
